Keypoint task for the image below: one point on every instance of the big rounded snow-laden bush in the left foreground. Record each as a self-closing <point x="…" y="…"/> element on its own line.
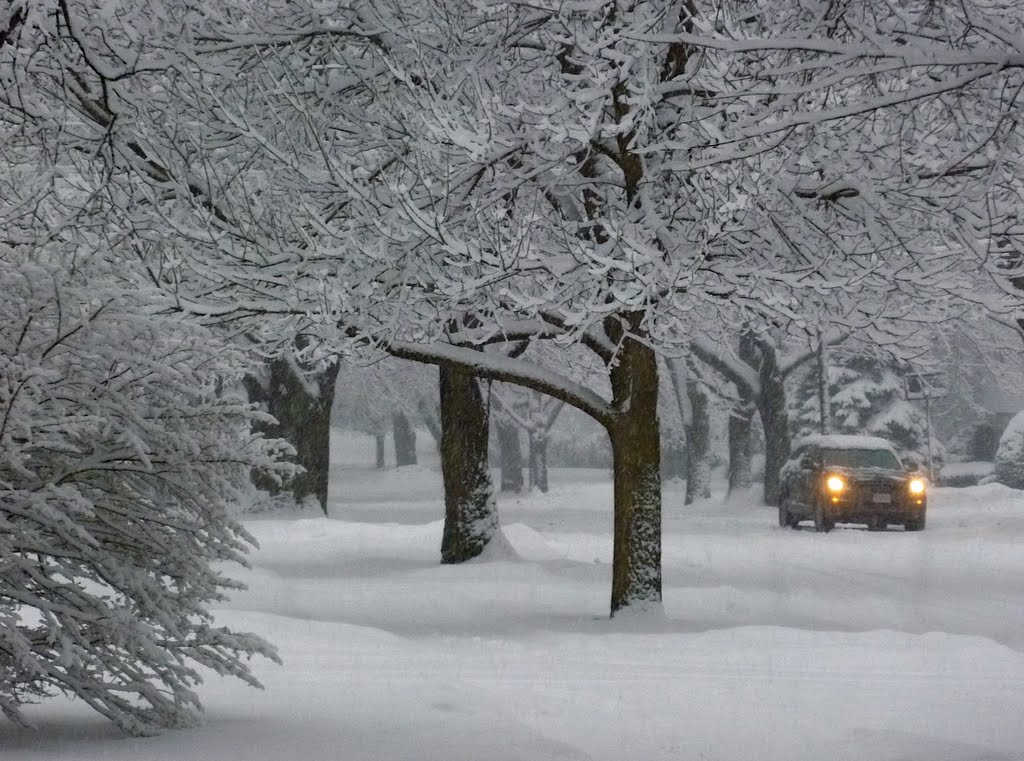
<point x="120" y="461"/>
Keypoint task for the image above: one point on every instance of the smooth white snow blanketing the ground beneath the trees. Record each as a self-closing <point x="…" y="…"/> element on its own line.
<point x="777" y="645"/>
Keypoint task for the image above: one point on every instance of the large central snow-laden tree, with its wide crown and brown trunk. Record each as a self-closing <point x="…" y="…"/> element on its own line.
<point x="438" y="178"/>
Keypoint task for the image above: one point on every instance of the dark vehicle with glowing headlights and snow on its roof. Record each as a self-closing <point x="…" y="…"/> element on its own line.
<point x="850" y="480"/>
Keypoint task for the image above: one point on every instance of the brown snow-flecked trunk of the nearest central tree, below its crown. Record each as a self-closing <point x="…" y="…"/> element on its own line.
<point x="636" y="445"/>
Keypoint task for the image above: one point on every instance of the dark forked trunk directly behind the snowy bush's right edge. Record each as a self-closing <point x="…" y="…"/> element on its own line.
<point x="303" y="407"/>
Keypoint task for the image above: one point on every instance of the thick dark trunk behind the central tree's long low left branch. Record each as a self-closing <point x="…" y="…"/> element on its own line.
<point x="471" y="512"/>
